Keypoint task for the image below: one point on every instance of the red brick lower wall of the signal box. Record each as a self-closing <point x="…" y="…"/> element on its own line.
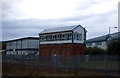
<point x="61" y="49"/>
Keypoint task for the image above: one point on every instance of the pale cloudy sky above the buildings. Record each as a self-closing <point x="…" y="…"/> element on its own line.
<point x="24" y="18"/>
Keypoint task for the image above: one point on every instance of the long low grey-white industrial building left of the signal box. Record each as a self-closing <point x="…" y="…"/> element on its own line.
<point x="22" y="46"/>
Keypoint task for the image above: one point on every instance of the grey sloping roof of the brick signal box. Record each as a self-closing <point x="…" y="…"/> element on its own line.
<point x="59" y="29"/>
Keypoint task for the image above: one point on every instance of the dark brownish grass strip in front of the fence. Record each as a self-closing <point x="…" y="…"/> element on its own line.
<point x="12" y="70"/>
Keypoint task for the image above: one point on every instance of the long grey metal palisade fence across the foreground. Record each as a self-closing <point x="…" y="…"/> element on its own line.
<point x="108" y="64"/>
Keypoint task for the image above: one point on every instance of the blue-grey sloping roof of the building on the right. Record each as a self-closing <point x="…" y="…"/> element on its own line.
<point x="103" y="38"/>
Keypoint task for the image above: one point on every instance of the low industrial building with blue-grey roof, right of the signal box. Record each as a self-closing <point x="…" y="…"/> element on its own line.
<point x="102" y="41"/>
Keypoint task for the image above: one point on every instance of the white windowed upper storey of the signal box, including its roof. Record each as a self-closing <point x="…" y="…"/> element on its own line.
<point x="63" y="35"/>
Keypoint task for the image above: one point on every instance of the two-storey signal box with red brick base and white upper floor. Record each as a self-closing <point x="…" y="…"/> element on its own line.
<point x="63" y="41"/>
